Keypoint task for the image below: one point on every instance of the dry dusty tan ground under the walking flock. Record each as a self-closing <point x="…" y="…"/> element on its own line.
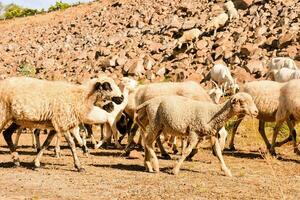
<point x="111" y="176"/>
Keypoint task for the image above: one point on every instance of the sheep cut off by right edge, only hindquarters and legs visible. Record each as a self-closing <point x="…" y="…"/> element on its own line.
<point x="288" y="110"/>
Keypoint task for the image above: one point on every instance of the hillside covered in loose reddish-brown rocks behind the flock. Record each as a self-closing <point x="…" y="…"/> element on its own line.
<point x="140" y="38"/>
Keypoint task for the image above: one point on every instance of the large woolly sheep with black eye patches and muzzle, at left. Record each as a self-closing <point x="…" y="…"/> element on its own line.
<point x="56" y="105"/>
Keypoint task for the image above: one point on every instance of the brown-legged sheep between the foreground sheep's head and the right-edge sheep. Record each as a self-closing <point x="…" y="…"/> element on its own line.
<point x="266" y="97"/>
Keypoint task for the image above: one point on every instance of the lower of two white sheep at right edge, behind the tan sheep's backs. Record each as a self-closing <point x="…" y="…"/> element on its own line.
<point x="286" y="74"/>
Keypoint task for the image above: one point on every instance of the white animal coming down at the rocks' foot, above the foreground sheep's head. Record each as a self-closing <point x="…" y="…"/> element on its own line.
<point x="221" y="74"/>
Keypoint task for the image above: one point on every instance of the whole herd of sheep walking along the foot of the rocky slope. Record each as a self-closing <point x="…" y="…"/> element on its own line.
<point x="183" y="110"/>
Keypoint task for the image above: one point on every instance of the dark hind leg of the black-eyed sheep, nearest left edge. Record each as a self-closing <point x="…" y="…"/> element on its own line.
<point x="7" y="136"/>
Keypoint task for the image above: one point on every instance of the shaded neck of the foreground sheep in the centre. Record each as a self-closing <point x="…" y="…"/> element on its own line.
<point x="223" y="113"/>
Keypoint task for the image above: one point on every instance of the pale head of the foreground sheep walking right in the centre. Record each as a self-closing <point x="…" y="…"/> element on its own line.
<point x="242" y="103"/>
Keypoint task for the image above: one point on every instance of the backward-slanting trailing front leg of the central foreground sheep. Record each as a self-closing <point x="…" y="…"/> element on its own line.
<point x="193" y="137"/>
